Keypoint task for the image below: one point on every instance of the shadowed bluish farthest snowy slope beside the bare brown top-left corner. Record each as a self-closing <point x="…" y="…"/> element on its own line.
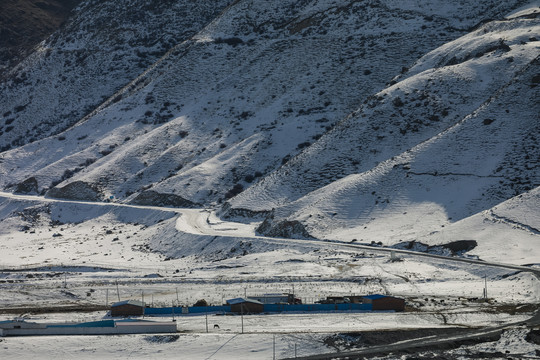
<point x="101" y="48"/>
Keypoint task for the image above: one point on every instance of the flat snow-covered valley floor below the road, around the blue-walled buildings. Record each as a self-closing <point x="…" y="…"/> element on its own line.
<point x="66" y="254"/>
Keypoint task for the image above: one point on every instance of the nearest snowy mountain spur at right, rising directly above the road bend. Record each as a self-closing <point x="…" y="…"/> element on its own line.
<point x="454" y="137"/>
